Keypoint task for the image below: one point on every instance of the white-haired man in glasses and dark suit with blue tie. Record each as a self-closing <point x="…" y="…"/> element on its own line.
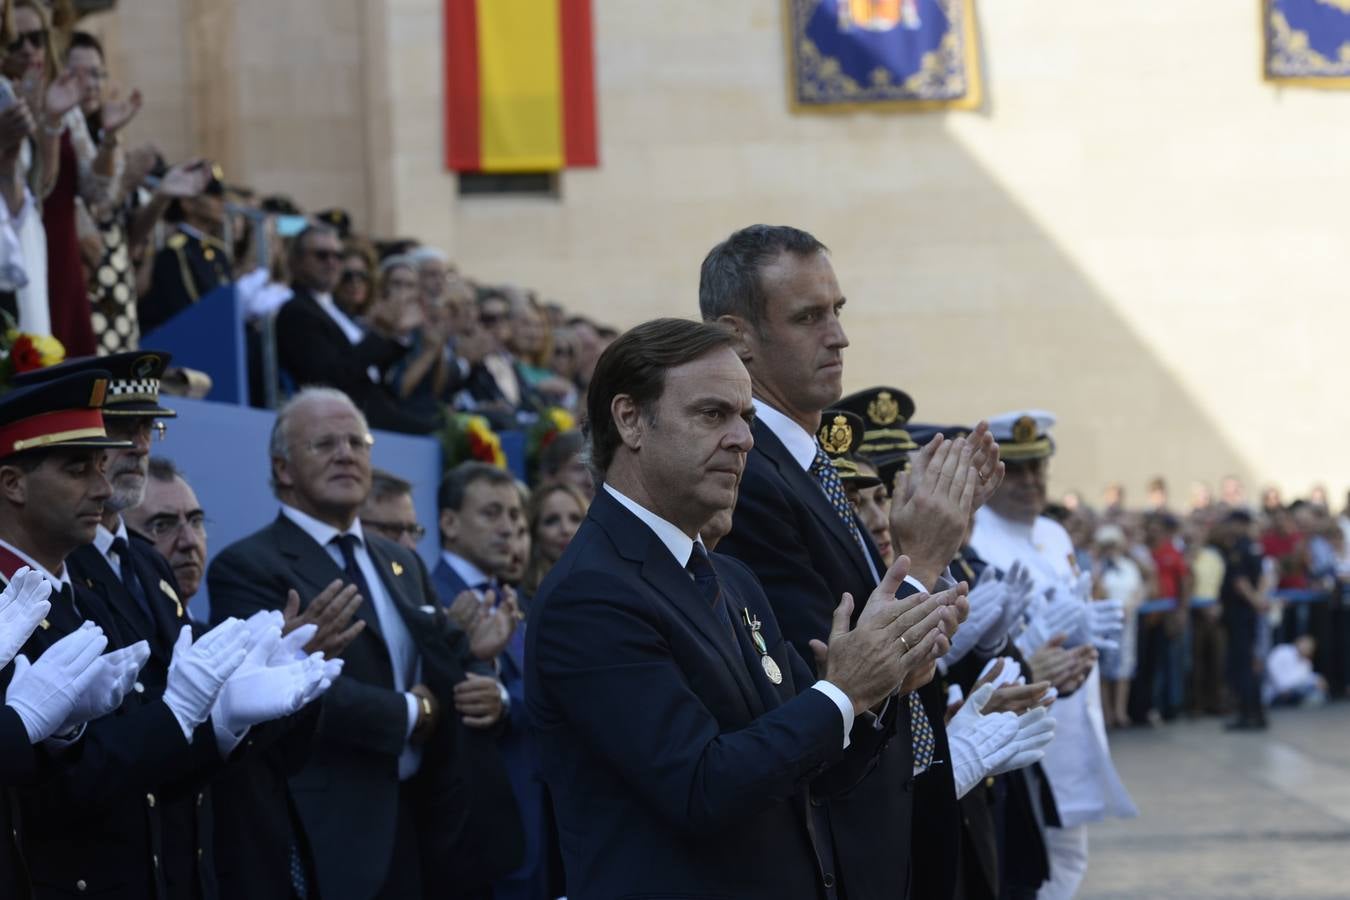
<point x="384" y="755"/>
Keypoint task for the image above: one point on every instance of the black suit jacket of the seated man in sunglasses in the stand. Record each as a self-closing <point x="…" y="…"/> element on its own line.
<point x="314" y="350"/>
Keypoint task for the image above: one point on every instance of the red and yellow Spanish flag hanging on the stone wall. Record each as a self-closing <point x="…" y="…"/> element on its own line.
<point x="520" y="86"/>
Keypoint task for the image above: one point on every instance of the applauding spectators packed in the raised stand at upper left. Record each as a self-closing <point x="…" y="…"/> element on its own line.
<point x="102" y="244"/>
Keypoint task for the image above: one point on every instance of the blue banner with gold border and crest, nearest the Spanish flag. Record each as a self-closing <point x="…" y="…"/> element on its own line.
<point x="916" y="55"/>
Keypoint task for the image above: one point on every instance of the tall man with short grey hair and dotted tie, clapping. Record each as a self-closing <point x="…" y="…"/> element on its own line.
<point x="776" y="288"/>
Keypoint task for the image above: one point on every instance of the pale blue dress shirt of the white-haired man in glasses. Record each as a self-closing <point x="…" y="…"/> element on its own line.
<point x="403" y="652"/>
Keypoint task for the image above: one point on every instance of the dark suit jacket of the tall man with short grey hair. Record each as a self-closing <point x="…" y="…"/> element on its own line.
<point x="789" y="535"/>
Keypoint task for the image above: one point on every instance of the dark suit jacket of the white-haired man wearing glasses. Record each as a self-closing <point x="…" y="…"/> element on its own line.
<point x="353" y="772"/>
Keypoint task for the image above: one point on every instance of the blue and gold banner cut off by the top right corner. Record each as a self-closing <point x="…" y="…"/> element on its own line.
<point x="1307" y="43"/>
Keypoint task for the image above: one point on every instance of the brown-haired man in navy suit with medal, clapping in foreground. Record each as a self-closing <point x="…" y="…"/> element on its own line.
<point x="678" y="735"/>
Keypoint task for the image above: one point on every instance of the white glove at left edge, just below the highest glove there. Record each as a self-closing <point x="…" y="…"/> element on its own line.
<point x="45" y="693"/>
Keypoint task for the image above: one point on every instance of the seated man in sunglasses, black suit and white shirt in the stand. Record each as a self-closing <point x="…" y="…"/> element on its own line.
<point x="319" y="345"/>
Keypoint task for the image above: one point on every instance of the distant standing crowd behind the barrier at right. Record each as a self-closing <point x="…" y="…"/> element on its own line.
<point x="1193" y="578"/>
